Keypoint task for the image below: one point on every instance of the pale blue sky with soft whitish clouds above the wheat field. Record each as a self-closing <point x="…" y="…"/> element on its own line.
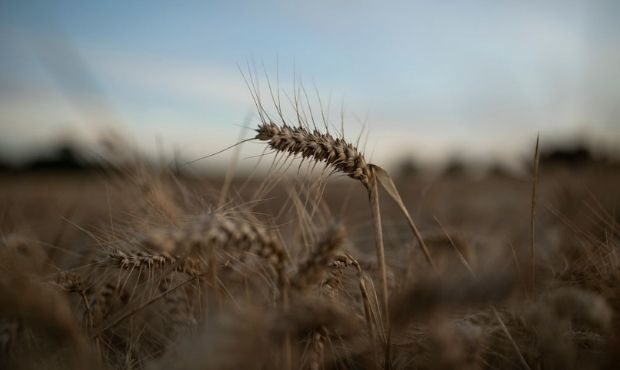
<point x="433" y="80"/>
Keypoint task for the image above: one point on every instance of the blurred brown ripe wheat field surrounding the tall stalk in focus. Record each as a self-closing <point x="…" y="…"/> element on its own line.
<point x="145" y="270"/>
